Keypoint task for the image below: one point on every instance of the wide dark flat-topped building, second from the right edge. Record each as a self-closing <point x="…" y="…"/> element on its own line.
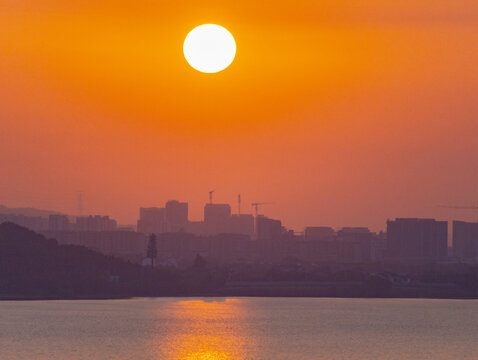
<point x="417" y="239"/>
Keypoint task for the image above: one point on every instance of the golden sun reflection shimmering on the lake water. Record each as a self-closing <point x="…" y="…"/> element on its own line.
<point x="206" y="330"/>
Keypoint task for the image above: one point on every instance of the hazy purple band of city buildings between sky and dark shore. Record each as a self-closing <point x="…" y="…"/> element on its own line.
<point x="226" y="238"/>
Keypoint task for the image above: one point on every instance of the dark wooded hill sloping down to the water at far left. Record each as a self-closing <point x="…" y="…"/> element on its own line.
<point x="32" y="266"/>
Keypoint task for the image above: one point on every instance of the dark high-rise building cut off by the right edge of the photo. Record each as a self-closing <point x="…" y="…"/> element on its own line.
<point x="465" y="241"/>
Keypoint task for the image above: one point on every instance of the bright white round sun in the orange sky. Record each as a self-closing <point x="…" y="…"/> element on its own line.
<point x="209" y="48"/>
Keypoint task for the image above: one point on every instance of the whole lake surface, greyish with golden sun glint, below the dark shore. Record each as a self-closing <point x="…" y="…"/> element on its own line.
<point x="239" y="328"/>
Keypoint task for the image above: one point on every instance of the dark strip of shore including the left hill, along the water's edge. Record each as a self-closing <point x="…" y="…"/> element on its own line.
<point x="35" y="268"/>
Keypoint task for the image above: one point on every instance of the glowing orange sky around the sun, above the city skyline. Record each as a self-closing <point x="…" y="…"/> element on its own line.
<point x="343" y="113"/>
